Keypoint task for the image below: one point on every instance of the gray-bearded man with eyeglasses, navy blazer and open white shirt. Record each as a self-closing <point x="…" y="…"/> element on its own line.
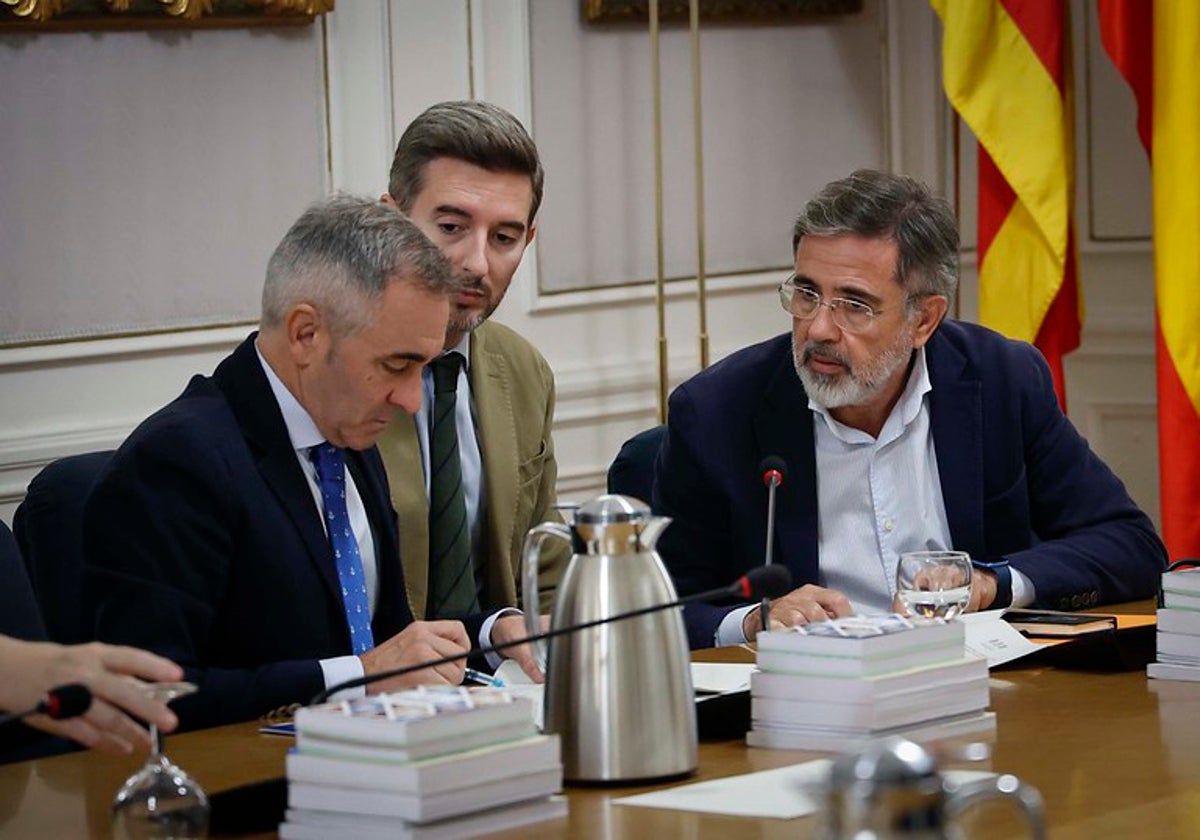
<point x="902" y="431"/>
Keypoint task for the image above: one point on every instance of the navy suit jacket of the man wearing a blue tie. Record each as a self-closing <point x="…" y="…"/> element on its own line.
<point x="205" y="544"/>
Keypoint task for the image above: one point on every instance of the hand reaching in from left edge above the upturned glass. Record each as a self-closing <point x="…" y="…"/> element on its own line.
<point x="111" y="673"/>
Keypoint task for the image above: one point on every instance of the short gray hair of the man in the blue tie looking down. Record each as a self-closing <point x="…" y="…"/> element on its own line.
<point x="341" y="255"/>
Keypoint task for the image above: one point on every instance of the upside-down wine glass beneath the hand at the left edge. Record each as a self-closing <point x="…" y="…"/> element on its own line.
<point x="161" y="801"/>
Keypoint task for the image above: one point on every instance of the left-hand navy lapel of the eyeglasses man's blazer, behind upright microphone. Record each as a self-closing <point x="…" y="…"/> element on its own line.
<point x="784" y="428"/>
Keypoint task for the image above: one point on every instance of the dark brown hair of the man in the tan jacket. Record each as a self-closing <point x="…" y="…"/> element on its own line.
<point x="472" y="131"/>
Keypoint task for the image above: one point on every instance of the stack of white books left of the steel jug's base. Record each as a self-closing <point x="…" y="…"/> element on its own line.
<point x="433" y="763"/>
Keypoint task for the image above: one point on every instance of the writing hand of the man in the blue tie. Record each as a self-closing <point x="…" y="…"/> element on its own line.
<point x="419" y="643"/>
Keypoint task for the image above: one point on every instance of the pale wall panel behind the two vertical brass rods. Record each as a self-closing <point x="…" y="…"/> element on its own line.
<point x="784" y="109"/>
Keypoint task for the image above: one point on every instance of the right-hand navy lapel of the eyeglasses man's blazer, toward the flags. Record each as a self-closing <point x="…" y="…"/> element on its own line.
<point x="957" y="421"/>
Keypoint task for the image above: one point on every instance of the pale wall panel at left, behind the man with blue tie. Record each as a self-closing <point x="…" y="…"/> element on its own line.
<point x="147" y="176"/>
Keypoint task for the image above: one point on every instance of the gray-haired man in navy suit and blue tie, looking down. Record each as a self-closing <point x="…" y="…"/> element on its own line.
<point x="205" y="537"/>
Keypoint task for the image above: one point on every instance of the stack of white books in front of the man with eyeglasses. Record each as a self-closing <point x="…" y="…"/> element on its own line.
<point x="837" y="685"/>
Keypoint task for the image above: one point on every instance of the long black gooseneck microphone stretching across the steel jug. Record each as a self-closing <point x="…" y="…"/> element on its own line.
<point x="761" y="583"/>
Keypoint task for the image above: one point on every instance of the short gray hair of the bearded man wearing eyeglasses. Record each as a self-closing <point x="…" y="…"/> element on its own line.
<point x="880" y="206"/>
